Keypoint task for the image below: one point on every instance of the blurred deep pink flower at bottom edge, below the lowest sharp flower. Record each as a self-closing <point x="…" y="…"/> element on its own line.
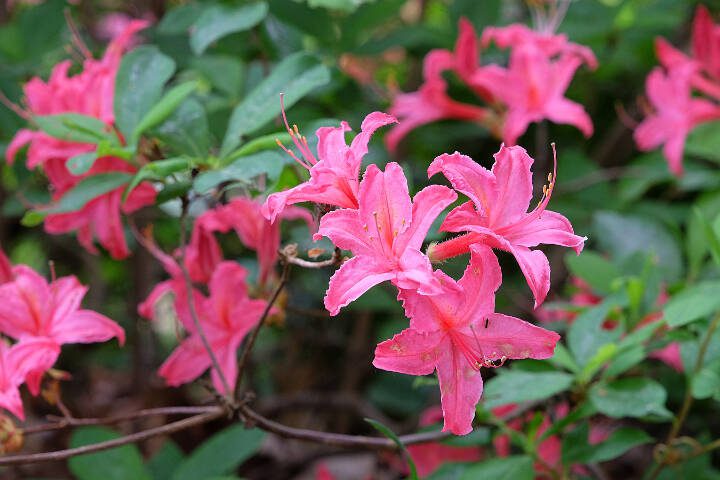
<point x="430" y="456"/>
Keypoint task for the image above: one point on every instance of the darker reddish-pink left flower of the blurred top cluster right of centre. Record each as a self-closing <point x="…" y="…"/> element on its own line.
<point x="431" y="102"/>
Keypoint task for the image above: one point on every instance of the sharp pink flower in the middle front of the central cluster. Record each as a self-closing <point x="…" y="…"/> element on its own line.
<point x="385" y="234"/>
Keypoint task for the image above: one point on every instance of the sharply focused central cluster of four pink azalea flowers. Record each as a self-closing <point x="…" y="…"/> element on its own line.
<point x="453" y="329"/>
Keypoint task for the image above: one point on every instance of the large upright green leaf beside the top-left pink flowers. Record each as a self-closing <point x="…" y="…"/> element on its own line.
<point x="138" y="85"/>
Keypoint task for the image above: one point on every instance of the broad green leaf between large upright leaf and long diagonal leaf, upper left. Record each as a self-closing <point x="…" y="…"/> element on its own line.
<point x="186" y="131"/>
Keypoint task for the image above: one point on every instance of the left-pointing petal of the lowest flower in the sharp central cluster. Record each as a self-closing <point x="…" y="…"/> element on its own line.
<point x="409" y="352"/>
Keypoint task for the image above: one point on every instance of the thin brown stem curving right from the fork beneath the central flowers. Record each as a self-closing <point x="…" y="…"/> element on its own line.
<point x="335" y="439"/>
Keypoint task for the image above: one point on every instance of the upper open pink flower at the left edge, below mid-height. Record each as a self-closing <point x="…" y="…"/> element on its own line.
<point x="30" y="307"/>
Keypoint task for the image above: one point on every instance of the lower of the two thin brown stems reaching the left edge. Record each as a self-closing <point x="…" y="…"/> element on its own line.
<point x="117" y="442"/>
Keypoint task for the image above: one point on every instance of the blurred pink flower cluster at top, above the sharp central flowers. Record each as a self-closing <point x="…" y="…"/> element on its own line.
<point x="531" y="88"/>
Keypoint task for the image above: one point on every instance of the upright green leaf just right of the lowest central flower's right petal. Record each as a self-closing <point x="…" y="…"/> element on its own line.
<point x="586" y="335"/>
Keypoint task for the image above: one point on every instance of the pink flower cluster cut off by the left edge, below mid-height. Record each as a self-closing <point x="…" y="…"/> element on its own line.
<point x="41" y="317"/>
